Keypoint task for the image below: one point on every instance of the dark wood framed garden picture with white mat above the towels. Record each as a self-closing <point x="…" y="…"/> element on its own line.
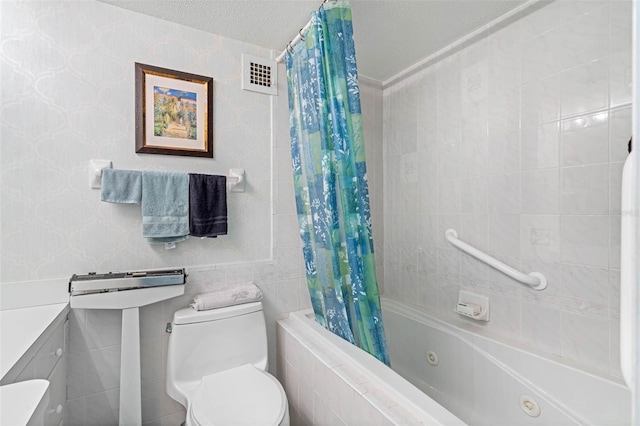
<point x="174" y="112"/>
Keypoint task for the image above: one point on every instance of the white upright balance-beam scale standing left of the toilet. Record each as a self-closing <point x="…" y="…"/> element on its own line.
<point x="127" y="291"/>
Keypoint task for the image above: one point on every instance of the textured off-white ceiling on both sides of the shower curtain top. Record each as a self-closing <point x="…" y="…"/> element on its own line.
<point x="391" y="35"/>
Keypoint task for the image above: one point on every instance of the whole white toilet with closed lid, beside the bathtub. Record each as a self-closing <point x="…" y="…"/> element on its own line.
<point x="216" y="368"/>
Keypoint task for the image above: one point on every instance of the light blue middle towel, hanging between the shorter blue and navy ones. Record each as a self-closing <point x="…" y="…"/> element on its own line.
<point x="165" y="207"/>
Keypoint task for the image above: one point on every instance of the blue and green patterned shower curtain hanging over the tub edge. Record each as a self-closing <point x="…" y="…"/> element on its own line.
<point x="330" y="180"/>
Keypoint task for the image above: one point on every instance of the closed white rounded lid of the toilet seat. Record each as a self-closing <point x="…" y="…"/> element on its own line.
<point x="240" y="396"/>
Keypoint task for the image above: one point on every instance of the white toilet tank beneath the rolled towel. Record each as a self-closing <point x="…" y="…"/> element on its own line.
<point x="206" y="342"/>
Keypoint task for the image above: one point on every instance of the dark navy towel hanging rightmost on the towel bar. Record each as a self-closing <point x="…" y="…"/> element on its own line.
<point x="207" y="205"/>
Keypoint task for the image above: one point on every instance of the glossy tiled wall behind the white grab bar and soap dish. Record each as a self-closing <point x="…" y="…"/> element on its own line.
<point x="517" y="141"/>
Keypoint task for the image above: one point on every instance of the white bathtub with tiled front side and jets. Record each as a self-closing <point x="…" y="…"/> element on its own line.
<point x="442" y="374"/>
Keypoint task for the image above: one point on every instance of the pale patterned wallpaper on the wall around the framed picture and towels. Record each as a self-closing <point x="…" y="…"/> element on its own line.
<point x="68" y="96"/>
